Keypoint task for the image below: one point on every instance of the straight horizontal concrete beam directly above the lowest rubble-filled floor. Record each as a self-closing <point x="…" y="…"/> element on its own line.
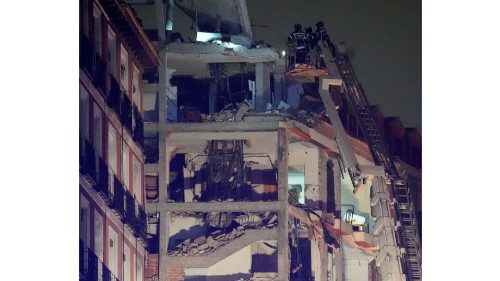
<point x="214" y="207"/>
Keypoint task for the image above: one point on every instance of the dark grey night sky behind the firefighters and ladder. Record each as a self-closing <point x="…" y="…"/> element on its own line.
<point x="383" y="40"/>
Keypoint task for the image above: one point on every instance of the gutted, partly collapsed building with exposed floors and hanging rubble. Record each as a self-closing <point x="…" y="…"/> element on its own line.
<point x="256" y="170"/>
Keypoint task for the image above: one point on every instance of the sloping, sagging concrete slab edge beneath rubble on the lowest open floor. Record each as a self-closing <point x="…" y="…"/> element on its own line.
<point x="250" y="236"/>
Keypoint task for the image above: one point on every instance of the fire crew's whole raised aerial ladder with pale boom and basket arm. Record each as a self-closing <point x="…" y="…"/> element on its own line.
<point x="399" y="257"/>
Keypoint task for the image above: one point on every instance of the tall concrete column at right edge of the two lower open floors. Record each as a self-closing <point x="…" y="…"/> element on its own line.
<point x="283" y="247"/>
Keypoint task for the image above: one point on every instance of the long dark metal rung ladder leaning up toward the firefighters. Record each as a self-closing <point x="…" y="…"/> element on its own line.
<point x="407" y="232"/>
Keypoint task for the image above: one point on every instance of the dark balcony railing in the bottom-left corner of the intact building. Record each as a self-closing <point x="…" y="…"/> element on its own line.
<point x="91" y="267"/>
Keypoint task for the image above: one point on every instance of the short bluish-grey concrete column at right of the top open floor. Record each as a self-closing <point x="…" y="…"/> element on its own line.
<point x="262" y="86"/>
